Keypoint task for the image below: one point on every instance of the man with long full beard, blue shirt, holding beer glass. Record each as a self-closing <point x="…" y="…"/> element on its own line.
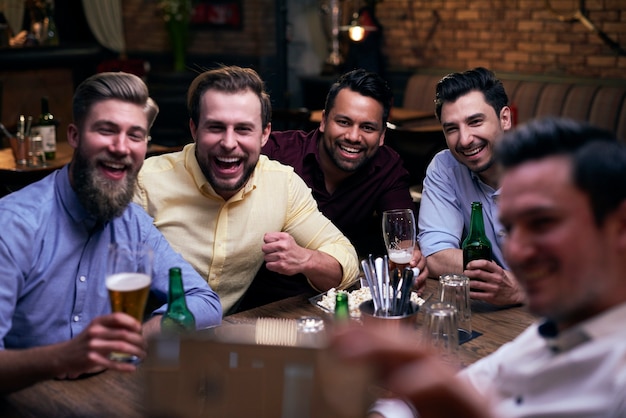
<point x="55" y="315"/>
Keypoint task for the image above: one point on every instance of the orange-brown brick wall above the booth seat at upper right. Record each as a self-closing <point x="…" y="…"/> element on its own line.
<point x="520" y="36"/>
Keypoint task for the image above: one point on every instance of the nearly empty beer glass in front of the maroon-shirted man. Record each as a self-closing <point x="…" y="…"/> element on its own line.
<point x="399" y="233"/>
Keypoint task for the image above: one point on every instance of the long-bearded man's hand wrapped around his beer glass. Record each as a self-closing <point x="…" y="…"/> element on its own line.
<point x="89" y="351"/>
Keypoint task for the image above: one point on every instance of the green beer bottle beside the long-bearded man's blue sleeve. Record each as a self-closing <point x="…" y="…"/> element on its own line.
<point x="178" y="318"/>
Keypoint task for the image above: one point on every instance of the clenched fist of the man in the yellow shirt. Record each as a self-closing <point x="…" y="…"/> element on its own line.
<point x="283" y="255"/>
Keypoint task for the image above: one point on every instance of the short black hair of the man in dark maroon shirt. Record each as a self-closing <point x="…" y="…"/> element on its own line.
<point x="365" y="83"/>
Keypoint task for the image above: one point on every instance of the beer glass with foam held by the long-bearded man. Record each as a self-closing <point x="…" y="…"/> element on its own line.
<point x="128" y="279"/>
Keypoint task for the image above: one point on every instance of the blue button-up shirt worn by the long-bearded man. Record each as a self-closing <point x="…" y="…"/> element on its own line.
<point x="53" y="263"/>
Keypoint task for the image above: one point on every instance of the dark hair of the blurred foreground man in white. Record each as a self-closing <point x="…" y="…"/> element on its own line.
<point x="598" y="158"/>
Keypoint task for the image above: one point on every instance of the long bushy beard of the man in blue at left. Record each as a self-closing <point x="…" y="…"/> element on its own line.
<point x="103" y="198"/>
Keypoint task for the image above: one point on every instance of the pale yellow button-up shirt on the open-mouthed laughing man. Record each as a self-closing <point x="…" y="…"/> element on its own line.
<point x="223" y="239"/>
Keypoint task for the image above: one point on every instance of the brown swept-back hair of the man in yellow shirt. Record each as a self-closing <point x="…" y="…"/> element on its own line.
<point x="228" y="79"/>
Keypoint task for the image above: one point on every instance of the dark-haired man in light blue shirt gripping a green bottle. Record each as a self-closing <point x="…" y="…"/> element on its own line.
<point x="472" y="108"/>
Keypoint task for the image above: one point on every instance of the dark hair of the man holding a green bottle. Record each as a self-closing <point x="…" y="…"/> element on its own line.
<point x="455" y="85"/>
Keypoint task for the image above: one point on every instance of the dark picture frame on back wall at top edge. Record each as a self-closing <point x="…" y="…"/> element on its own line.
<point x="218" y="14"/>
